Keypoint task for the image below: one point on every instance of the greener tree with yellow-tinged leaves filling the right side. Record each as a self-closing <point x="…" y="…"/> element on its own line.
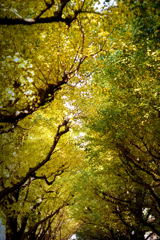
<point x="123" y="121"/>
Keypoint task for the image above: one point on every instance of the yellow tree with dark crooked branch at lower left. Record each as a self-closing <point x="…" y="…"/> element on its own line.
<point x="35" y="207"/>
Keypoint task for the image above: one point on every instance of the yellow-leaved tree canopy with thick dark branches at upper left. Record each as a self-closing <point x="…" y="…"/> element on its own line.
<point x="25" y="53"/>
